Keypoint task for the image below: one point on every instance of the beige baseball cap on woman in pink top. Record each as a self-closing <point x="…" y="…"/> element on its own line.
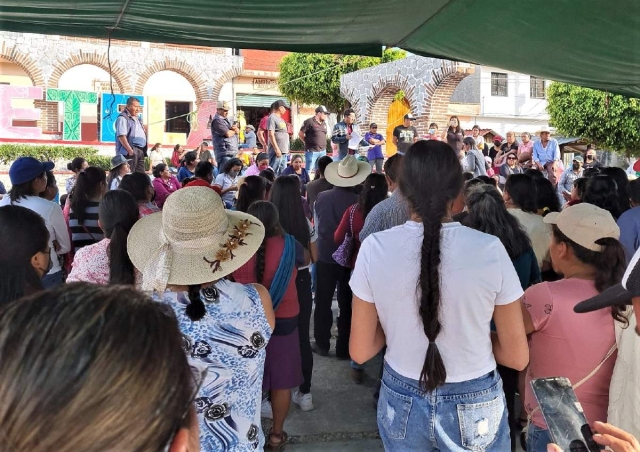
<point x="585" y="224"/>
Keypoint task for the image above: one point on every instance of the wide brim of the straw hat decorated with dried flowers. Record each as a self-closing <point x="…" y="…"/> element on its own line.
<point x="188" y="267"/>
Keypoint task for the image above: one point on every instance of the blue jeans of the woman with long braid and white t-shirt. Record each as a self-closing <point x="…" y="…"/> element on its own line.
<point x="470" y="415"/>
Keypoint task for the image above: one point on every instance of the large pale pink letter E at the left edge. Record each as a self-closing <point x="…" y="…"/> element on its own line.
<point x="8" y="114"/>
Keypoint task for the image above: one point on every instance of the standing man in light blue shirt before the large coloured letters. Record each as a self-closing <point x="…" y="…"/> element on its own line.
<point x="131" y="136"/>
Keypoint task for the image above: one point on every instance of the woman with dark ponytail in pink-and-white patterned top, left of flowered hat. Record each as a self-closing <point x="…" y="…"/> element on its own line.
<point x="107" y="261"/>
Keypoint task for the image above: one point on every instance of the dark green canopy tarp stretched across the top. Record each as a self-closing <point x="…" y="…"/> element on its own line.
<point x="586" y="42"/>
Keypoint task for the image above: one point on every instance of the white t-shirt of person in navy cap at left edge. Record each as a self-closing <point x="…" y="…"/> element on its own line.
<point x="53" y="219"/>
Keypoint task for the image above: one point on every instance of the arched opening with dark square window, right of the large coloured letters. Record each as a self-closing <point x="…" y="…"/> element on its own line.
<point x="171" y="99"/>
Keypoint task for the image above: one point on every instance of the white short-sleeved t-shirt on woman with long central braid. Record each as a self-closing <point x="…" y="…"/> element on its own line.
<point x="476" y="275"/>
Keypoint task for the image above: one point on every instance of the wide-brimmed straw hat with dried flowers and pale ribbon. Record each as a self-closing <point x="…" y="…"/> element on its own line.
<point x="194" y="240"/>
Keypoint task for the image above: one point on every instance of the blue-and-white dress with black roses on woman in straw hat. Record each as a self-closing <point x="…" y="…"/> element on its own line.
<point x="230" y="340"/>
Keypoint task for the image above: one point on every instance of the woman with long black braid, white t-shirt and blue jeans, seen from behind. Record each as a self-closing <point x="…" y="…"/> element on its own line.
<point x="432" y="306"/>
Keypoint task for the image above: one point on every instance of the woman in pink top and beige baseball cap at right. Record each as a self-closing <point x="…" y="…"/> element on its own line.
<point x="585" y="249"/>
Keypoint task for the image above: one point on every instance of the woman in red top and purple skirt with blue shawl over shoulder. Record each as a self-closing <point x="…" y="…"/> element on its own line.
<point x="275" y="266"/>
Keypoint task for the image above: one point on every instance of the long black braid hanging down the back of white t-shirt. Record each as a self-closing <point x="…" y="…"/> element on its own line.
<point x="433" y="372"/>
